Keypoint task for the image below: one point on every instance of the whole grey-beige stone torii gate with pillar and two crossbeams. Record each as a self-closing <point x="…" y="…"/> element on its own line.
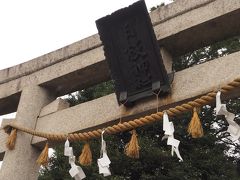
<point x="31" y="88"/>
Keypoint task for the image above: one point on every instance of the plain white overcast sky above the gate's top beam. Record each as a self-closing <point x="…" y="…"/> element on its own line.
<point x="31" y="28"/>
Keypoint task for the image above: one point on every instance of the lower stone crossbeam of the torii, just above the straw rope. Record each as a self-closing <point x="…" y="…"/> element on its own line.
<point x="188" y="84"/>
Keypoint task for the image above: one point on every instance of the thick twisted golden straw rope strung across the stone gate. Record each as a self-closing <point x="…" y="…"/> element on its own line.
<point x="199" y="102"/>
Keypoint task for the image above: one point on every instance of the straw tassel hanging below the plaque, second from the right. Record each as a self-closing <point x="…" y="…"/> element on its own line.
<point x="132" y="148"/>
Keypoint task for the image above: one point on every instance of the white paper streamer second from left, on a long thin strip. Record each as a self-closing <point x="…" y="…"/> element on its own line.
<point x="104" y="161"/>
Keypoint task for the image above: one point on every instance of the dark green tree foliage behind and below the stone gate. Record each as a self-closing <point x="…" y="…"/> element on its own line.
<point x="211" y="157"/>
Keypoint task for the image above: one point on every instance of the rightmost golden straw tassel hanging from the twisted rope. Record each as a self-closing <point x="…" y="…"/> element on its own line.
<point x="195" y="126"/>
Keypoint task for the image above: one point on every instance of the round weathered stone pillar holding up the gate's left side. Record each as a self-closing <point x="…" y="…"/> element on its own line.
<point x="20" y="163"/>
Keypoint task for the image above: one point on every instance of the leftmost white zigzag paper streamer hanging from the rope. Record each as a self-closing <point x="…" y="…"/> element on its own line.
<point x="76" y="171"/>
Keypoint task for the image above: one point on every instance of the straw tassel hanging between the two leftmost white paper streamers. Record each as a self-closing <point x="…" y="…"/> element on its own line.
<point x="85" y="158"/>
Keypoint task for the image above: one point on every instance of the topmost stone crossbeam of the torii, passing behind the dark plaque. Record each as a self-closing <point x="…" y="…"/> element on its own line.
<point x="180" y="27"/>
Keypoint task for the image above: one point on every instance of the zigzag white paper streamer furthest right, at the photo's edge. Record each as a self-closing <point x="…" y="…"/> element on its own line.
<point x="233" y="128"/>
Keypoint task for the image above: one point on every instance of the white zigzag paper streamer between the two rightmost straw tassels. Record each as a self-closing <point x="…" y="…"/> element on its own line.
<point x="168" y="127"/>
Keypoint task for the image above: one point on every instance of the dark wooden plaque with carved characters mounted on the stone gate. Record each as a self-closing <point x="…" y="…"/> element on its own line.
<point x="132" y="52"/>
